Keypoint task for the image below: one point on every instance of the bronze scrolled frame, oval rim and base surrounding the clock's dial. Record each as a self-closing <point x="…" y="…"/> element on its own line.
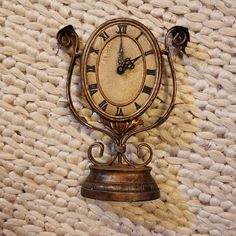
<point x="121" y="179"/>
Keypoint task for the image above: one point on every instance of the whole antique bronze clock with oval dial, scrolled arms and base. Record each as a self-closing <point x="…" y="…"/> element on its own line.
<point x="121" y="73"/>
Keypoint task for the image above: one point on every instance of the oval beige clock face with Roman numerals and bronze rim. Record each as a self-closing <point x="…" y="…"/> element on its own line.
<point x="121" y="69"/>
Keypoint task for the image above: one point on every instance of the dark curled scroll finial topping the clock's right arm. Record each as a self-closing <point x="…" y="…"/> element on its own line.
<point x="178" y="37"/>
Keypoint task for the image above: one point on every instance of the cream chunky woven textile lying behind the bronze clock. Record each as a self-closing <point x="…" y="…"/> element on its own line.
<point x="43" y="149"/>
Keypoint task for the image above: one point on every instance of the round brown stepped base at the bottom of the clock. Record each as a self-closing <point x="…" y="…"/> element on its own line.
<point x="120" y="183"/>
